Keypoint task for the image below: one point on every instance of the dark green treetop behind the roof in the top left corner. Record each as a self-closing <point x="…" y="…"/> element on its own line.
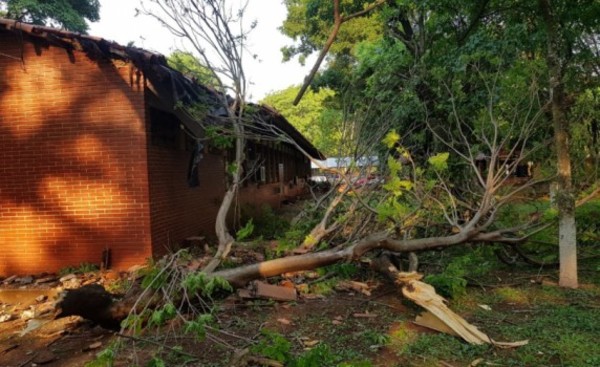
<point x="68" y="14"/>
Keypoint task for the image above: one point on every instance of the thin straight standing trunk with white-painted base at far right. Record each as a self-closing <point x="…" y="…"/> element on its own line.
<point x="565" y="199"/>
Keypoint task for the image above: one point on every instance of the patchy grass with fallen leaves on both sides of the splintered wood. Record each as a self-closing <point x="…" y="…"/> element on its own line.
<point x="562" y="326"/>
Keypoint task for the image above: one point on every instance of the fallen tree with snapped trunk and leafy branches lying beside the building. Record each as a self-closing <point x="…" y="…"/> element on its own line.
<point x="420" y="205"/>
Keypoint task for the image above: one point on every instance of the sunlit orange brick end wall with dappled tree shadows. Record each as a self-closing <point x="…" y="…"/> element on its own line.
<point x="73" y="174"/>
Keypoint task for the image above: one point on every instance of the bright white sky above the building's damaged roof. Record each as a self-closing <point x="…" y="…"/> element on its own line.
<point x="266" y="74"/>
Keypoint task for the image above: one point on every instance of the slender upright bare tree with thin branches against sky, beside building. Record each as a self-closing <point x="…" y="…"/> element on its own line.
<point x="216" y="34"/>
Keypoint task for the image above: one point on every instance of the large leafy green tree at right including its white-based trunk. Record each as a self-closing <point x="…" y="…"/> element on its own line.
<point x="430" y="48"/>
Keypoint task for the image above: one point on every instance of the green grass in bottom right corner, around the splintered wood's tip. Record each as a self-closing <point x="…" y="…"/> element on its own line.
<point x="562" y="326"/>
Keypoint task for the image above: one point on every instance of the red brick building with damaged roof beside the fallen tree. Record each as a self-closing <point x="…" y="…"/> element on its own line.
<point x="95" y="157"/>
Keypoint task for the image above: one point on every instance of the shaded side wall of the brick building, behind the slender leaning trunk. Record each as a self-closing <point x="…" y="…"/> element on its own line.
<point x="179" y="211"/>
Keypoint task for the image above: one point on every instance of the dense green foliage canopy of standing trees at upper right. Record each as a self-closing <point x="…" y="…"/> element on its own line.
<point x="439" y="70"/>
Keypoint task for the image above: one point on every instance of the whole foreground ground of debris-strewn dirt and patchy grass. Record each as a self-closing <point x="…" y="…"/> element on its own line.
<point x="336" y="323"/>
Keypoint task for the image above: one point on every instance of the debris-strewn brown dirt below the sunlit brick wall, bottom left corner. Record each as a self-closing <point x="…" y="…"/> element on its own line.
<point x="29" y="333"/>
